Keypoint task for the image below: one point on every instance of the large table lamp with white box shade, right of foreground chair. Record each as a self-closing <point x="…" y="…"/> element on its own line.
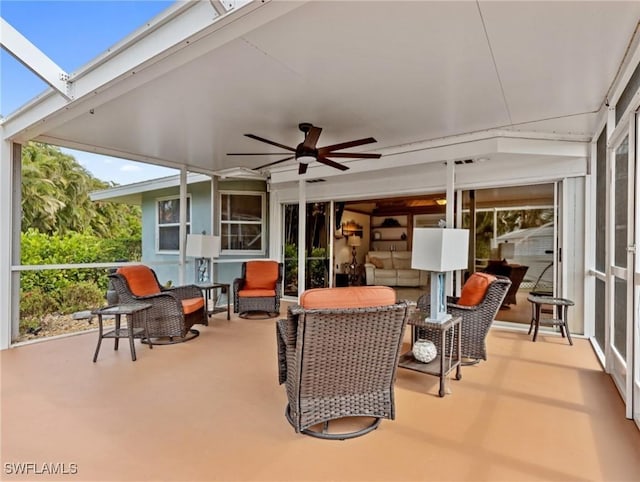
<point x="439" y="250"/>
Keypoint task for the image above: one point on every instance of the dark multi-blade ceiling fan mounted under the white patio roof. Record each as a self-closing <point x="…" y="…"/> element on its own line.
<point x="307" y="151"/>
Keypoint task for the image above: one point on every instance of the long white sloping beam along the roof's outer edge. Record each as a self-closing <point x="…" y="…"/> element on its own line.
<point x="152" y="54"/>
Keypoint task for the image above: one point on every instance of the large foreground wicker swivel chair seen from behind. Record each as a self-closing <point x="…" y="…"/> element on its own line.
<point x="338" y="354"/>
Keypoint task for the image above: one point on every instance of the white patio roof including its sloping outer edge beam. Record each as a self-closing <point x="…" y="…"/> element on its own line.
<point x="431" y="81"/>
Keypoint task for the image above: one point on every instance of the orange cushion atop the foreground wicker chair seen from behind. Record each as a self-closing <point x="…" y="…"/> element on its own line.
<point x="350" y="297"/>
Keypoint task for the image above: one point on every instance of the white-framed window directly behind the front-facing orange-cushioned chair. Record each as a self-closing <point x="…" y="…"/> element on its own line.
<point x="242" y="222"/>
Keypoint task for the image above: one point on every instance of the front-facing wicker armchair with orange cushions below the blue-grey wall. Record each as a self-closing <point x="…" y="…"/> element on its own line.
<point x="258" y="289"/>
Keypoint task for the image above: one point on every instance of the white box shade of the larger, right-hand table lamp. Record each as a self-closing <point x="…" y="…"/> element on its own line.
<point x="436" y="249"/>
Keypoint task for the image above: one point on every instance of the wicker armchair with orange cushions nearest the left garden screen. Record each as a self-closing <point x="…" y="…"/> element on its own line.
<point x="174" y="310"/>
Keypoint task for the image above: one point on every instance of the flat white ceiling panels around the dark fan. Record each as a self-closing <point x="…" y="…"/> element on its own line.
<point x="402" y="72"/>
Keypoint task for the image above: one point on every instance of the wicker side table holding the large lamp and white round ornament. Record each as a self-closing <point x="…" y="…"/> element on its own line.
<point x="443" y="363"/>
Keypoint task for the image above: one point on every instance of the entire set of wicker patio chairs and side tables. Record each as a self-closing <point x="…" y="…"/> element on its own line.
<point x="339" y="348"/>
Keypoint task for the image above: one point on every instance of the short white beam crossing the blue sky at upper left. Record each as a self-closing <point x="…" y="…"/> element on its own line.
<point x="34" y="59"/>
